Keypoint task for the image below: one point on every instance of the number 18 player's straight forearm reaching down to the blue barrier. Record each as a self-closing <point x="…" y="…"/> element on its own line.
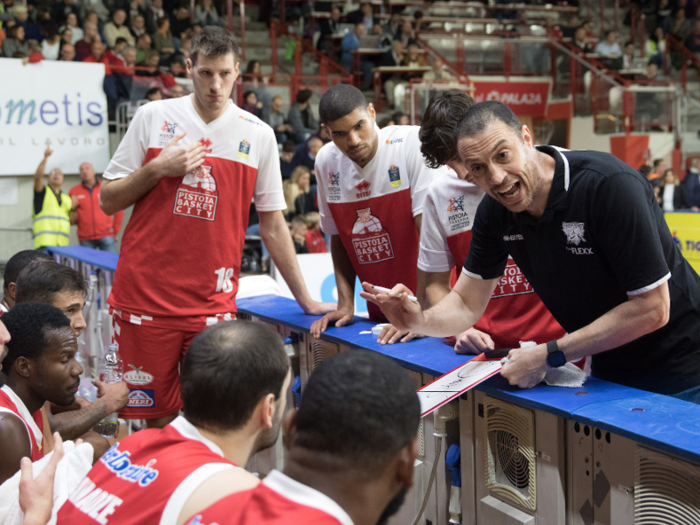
<point x="275" y="235"/>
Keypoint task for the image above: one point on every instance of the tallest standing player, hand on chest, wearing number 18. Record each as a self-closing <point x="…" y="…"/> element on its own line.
<point x="191" y="166"/>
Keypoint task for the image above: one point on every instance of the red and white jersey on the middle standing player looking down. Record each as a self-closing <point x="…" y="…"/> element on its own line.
<point x="372" y="208"/>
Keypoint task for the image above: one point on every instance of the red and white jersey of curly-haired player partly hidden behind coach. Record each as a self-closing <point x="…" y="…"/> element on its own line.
<point x="515" y="313"/>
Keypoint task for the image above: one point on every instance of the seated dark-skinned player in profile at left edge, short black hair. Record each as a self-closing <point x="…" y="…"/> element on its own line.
<point x="40" y="366"/>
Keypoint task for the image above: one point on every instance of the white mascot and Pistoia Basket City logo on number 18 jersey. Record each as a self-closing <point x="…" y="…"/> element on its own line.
<point x="197" y="195"/>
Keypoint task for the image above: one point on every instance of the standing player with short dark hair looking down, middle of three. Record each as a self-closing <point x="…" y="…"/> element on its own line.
<point x="371" y="189"/>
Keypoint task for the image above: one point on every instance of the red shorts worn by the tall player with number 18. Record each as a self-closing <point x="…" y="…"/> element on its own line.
<point x="152" y="357"/>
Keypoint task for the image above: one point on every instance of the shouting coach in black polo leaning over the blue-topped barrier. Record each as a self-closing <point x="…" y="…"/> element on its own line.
<point x="587" y="233"/>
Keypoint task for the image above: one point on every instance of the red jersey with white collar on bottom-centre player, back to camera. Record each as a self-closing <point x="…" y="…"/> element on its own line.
<point x="278" y="500"/>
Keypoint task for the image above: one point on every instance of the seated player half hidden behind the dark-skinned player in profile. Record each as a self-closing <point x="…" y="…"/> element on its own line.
<point x="48" y="282"/>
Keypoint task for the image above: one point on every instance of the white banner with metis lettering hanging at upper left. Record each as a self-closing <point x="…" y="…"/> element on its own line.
<point x="57" y="104"/>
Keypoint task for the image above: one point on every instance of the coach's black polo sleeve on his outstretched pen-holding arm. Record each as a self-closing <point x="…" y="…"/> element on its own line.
<point x="487" y="256"/>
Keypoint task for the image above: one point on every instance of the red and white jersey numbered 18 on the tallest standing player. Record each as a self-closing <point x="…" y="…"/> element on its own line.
<point x="181" y="252"/>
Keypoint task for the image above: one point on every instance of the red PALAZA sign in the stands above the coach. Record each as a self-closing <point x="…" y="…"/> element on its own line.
<point x="524" y="98"/>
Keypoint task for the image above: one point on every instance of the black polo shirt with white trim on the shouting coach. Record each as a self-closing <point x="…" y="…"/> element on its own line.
<point x="601" y="238"/>
